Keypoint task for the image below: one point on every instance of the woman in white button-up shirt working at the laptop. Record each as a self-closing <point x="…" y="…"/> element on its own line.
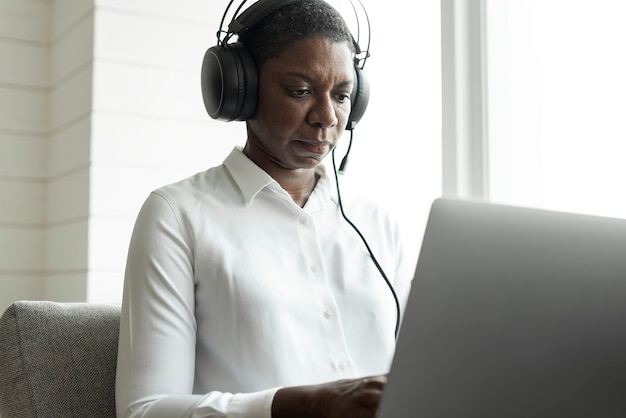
<point x="246" y="292"/>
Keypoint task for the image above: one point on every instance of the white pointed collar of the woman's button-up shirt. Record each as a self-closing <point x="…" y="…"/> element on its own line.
<point x="251" y="178"/>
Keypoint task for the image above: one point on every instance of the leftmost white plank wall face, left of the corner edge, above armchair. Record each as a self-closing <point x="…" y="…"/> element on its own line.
<point x="24" y="51"/>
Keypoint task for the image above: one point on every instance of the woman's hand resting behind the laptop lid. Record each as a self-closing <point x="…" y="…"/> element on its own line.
<point x="352" y="398"/>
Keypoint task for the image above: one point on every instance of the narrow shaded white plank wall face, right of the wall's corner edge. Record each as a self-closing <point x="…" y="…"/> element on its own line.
<point x="68" y="150"/>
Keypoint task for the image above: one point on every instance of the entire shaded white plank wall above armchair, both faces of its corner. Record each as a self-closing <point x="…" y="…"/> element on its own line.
<point x="46" y="86"/>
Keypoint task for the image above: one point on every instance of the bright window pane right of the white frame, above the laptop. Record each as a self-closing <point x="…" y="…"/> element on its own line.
<point x="556" y="89"/>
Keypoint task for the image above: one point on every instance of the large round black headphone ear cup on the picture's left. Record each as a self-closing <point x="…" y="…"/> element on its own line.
<point x="229" y="82"/>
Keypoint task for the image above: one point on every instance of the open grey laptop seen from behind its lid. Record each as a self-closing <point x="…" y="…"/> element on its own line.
<point x="513" y="312"/>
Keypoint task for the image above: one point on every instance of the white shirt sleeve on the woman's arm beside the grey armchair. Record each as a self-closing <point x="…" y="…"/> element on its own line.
<point x="156" y="360"/>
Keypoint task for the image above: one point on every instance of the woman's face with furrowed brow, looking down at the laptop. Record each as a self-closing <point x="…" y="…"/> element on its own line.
<point x="303" y="105"/>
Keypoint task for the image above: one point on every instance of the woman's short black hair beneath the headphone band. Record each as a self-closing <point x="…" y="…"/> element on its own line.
<point x="294" y="22"/>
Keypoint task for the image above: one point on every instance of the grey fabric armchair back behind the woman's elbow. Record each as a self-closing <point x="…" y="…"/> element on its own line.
<point x="58" y="359"/>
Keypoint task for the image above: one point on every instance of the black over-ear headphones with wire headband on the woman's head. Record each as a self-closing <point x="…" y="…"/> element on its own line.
<point x="229" y="76"/>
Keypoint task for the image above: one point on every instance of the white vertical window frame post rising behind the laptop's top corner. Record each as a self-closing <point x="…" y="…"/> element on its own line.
<point x="464" y="99"/>
